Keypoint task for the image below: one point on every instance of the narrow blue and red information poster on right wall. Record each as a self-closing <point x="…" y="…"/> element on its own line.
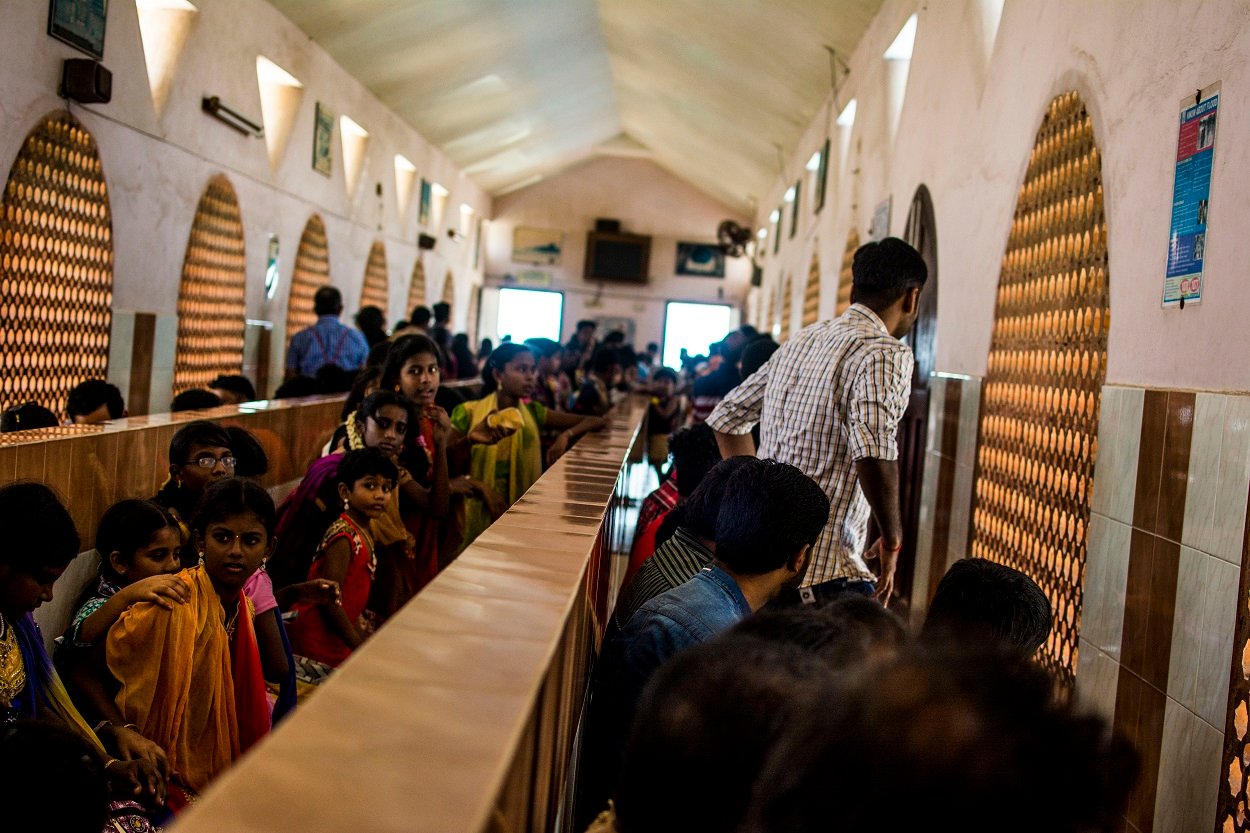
<point x="1192" y="196"/>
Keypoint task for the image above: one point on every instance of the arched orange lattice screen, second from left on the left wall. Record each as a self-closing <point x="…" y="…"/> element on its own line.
<point x="211" y="298"/>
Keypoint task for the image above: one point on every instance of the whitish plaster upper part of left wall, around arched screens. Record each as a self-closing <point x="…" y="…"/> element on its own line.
<point x="158" y="166"/>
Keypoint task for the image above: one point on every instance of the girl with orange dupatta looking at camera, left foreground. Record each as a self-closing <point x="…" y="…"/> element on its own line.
<point x="191" y="676"/>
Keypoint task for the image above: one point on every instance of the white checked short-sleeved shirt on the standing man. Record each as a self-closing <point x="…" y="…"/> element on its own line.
<point x="832" y="396"/>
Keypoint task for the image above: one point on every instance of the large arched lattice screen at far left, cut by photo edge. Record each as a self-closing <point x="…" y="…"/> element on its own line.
<point x="57" y="261"/>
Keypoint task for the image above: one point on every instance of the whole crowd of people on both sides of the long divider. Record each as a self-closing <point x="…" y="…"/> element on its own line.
<point x="751" y="671"/>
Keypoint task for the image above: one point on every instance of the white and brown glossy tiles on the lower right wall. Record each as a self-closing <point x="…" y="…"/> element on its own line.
<point x="1162" y="587"/>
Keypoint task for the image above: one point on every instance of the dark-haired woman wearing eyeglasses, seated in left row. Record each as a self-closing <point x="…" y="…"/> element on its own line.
<point x="199" y="455"/>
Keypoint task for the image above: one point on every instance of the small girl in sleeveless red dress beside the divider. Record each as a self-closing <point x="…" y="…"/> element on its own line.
<point x="328" y="635"/>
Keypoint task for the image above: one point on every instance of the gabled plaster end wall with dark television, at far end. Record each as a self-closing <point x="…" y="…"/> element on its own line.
<point x="647" y="199"/>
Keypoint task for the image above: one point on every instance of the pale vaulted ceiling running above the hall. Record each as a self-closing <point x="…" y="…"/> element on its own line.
<point x="717" y="92"/>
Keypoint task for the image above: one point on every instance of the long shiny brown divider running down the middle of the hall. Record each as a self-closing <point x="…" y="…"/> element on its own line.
<point x="461" y="715"/>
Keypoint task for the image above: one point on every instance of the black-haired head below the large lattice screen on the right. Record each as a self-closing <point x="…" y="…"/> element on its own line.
<point x="979" y="598"/>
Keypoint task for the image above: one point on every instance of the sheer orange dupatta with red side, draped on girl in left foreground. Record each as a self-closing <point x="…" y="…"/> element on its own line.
<point x="184" y="687"/>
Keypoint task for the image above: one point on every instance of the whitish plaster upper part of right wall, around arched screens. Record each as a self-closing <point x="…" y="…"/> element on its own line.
<point x="968" y="124"/>
